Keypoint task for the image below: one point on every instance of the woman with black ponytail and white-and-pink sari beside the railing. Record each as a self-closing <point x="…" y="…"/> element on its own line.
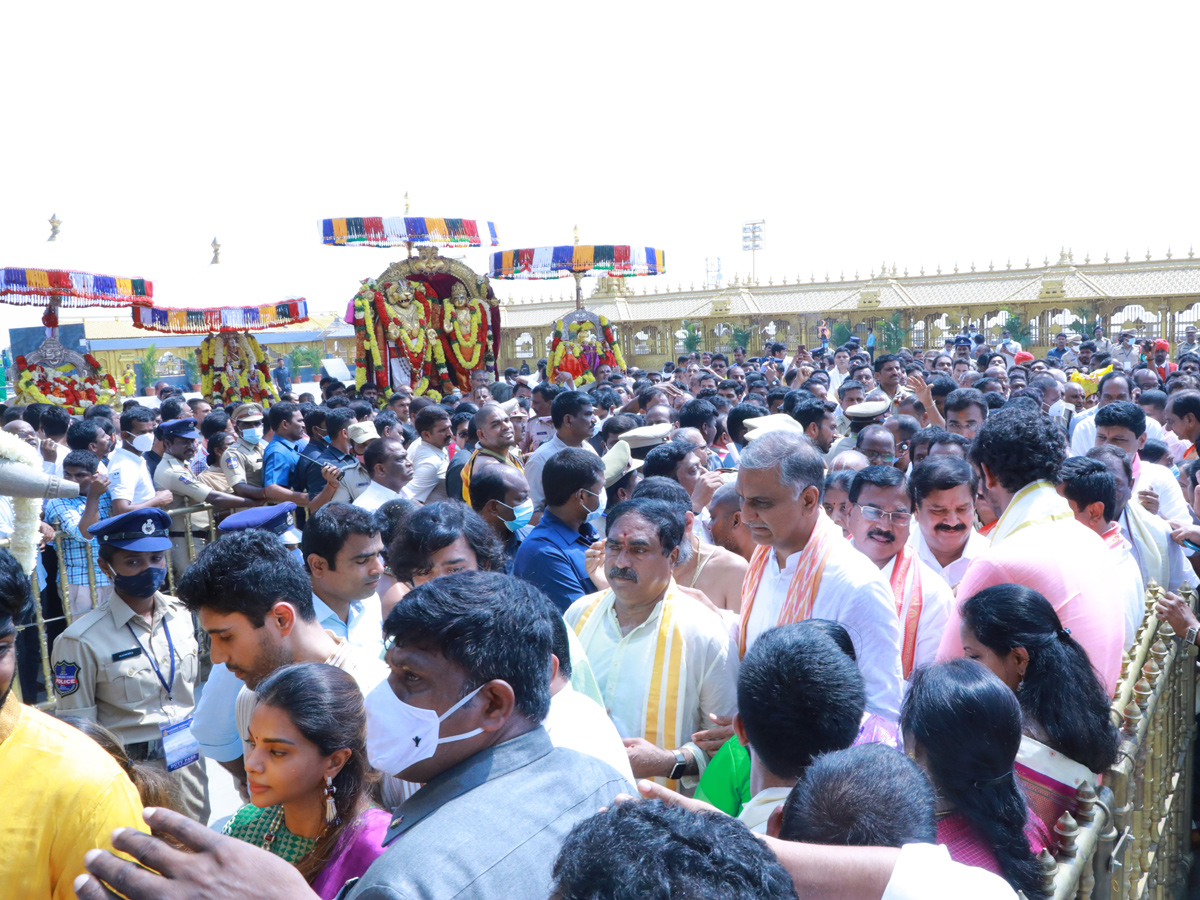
<point x="1069" y="736"/>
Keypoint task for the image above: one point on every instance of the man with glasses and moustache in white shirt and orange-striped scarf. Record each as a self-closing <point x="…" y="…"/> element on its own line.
<point x="880" y="521"/>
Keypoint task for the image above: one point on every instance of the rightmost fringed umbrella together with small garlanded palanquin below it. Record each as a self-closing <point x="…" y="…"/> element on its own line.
<point x="575" y="349"/>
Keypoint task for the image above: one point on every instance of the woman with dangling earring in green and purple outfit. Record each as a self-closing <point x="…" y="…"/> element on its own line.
<point x="309" y="778"/>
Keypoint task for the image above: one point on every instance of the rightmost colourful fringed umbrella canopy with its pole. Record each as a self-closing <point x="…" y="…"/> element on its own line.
<point x="580" y="261"/>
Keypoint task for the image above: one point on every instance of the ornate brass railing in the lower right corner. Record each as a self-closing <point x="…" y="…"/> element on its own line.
<point x="1131" y="839"/>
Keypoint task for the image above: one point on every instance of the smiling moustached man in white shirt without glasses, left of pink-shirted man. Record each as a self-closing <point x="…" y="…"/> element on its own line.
<point x="943" y="490"/>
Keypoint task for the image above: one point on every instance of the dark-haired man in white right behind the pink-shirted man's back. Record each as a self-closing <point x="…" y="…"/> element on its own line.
<point x="1093" y="494"/>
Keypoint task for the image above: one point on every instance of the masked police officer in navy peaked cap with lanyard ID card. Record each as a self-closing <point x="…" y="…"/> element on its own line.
<point x="133" y="664"/>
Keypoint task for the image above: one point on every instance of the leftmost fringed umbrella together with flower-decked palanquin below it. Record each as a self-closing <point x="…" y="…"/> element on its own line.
<point x="55" y="374"/>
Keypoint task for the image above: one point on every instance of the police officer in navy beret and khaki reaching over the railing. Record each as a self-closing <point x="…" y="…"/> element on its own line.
<point x="175" y="475"/>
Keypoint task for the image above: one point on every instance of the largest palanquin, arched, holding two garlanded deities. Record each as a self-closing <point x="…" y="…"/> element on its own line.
<point x="427" y="322"/>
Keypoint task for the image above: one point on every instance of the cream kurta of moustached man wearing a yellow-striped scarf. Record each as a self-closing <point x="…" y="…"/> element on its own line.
<point x="625" y="667"/>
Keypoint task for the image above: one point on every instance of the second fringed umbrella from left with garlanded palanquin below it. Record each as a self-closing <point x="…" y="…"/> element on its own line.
<point x="227" y="304"/>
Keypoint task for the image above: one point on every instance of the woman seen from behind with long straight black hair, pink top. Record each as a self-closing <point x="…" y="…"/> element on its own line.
<point x="964" y="728"/>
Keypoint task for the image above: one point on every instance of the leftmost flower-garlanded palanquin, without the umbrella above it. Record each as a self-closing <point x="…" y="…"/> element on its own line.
<point x="56" y="375"/>
